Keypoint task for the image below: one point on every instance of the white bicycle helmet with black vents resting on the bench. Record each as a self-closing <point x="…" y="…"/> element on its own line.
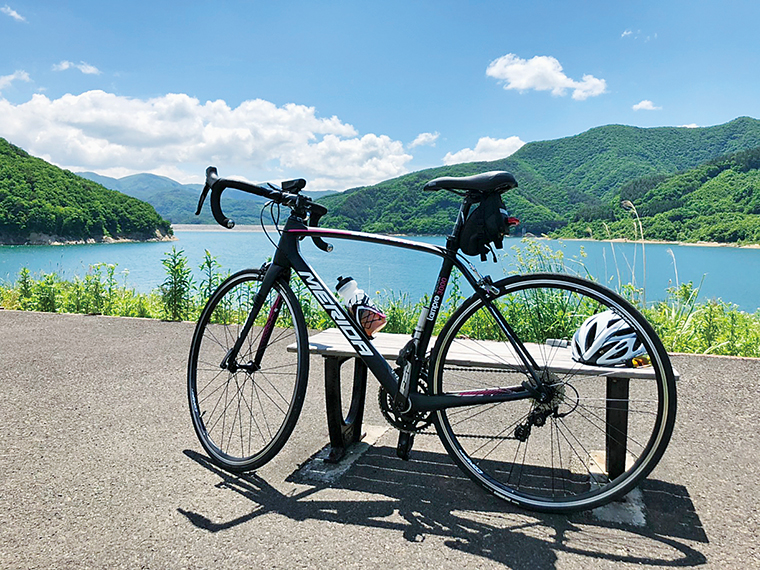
<point x="605" y="339"/>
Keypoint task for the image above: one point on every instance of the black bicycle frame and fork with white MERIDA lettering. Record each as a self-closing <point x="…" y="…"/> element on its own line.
<point x="288" y="257"/>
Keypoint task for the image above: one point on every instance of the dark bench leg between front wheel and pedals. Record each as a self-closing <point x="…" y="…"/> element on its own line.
<point x="343" y="431"/>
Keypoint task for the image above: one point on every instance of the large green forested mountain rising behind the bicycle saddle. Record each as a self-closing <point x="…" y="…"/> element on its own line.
<point x="577" y="178"/>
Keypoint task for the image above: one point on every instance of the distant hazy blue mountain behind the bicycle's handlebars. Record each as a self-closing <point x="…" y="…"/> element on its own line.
<point x="177" y="202"/>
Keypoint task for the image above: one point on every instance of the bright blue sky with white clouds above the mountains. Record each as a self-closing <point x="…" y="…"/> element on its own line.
<point x="351" y="93"/>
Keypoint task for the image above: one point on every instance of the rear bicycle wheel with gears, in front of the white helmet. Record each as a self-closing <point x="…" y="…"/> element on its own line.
<point x="600" y="430"/>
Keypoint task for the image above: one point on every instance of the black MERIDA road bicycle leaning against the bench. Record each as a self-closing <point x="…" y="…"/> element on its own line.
<point x="514" y="410"/>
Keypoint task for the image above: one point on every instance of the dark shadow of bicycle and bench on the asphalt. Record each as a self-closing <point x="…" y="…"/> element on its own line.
<point x="428" y="496"/>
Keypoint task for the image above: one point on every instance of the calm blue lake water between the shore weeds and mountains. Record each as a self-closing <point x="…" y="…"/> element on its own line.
<point x="725" y="272"/>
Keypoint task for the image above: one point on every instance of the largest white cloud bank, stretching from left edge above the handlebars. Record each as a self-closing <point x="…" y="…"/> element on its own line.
<point x="178" y="136"/>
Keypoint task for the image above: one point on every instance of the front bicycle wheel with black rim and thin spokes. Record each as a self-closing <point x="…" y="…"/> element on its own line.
<point x="244" y="414"/>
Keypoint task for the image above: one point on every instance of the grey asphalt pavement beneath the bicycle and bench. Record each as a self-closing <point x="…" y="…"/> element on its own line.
<point x="100" y="468"/>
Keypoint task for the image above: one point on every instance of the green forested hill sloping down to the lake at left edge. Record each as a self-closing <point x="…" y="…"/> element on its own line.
<point x="38" y="199"/>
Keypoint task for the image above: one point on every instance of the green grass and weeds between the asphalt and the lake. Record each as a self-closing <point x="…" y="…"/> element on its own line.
<point x="683" y="322"/>
